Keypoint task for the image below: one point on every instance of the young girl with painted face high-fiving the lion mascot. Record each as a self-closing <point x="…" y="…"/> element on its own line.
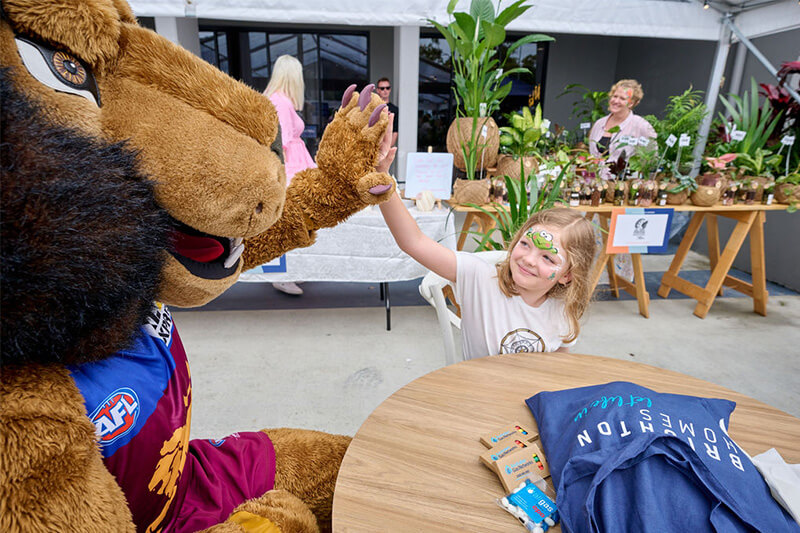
<point x="529" y="302"/>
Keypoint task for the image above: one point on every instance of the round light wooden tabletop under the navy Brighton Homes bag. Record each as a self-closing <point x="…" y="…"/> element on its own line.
<point x="413" y="465"/>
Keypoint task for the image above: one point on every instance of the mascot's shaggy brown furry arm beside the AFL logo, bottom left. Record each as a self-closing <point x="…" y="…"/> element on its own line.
<point x="60" y="483"/>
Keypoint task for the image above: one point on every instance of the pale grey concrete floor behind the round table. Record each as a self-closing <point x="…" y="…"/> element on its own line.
<point x="327" y="369"/>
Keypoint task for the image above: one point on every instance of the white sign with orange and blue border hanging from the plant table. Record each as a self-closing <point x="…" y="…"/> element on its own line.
<point x="638" y="230"/>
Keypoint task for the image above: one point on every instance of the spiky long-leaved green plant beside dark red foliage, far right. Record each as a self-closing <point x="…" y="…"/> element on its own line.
<point x="750" y="117"/>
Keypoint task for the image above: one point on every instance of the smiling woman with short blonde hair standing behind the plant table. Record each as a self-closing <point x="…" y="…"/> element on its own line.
<point x="623" y="97"/>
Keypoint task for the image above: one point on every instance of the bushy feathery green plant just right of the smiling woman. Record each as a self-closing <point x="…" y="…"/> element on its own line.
<point x="683" y="115"/>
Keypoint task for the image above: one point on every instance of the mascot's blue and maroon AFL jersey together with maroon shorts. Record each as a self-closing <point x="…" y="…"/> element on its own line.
<point x="140" y="403"/>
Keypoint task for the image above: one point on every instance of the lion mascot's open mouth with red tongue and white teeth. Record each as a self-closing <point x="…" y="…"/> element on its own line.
<point x="203" y="255"/>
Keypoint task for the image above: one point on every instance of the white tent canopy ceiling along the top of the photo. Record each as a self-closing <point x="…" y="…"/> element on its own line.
<point x="677" y="19"/>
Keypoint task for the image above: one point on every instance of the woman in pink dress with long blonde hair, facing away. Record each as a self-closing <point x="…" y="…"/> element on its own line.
<point x="285" y="90"/>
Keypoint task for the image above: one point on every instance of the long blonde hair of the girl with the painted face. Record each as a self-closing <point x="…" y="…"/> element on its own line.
<point x="578" y="241"/>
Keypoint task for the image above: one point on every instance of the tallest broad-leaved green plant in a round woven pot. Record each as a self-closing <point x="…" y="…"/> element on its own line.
<point x="480" y="83"/>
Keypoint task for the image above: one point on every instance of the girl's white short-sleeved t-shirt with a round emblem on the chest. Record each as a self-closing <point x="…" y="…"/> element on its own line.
<point x="492" y="323"/>
